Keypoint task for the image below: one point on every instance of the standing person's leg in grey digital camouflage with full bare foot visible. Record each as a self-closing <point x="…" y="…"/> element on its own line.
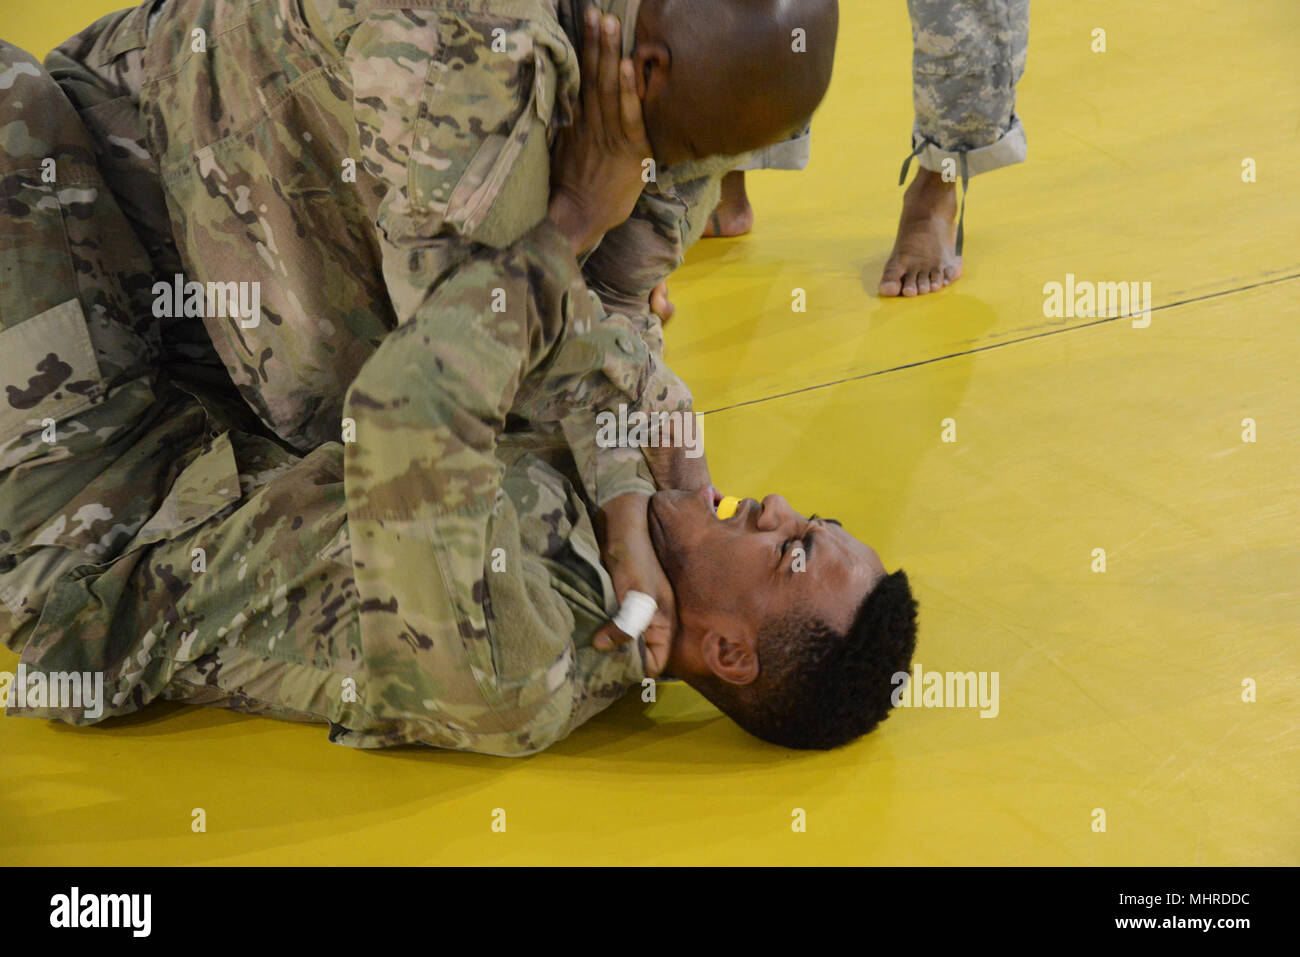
<point x="969" y="57"/>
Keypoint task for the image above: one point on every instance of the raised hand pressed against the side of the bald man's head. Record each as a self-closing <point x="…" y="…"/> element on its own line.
<point x="599" y="162"/>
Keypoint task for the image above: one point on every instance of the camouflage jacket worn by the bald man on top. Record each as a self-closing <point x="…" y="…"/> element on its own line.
<point x="345" y="155"/>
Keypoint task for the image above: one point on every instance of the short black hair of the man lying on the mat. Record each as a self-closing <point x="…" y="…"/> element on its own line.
<point x="818" y="690"/>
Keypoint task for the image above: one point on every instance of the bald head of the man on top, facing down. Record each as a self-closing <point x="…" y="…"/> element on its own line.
<point x="744" y="73"/>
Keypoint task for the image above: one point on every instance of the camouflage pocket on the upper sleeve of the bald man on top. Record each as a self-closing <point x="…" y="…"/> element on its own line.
<point x="480" y="151"/>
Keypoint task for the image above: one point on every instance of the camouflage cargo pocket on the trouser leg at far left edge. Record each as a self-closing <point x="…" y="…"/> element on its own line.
<point x="50" y="374"/>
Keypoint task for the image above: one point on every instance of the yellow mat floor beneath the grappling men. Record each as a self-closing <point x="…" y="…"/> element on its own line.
<point x="1120" y="691"/>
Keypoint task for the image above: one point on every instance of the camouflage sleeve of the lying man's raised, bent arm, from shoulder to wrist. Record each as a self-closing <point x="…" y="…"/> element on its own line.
<point x="466" y="643"/>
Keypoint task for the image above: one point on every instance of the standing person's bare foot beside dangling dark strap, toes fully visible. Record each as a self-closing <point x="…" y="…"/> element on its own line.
<point x="925" y="257"/>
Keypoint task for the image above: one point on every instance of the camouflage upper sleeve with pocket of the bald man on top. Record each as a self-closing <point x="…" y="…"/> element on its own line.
<point x="453" y="110"/>
